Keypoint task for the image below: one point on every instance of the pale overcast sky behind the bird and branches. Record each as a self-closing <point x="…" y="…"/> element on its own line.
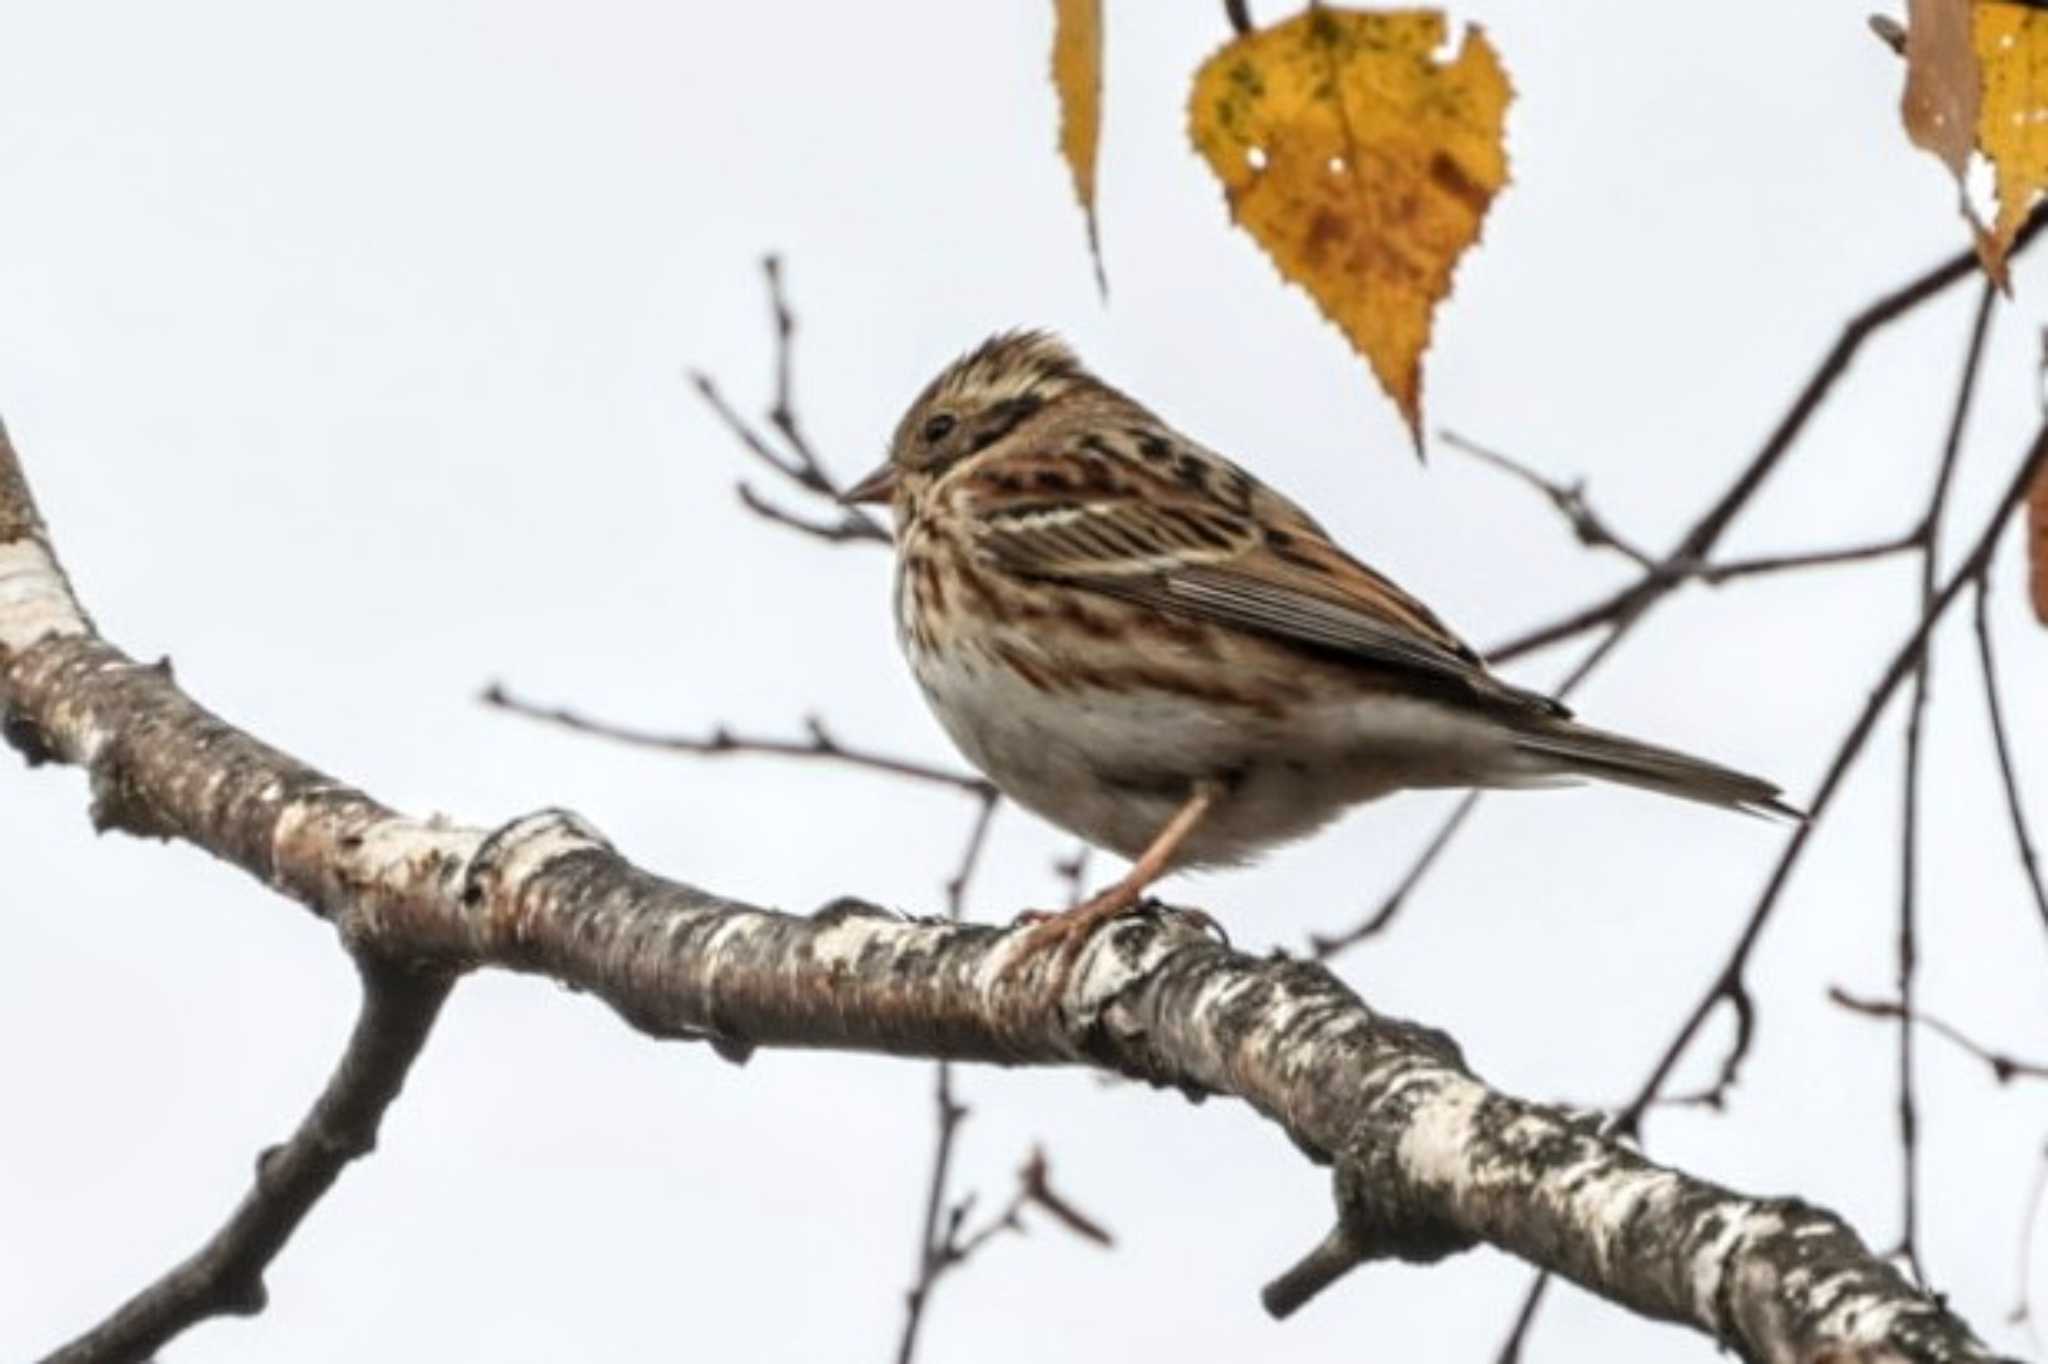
<point x="347" y="357"/>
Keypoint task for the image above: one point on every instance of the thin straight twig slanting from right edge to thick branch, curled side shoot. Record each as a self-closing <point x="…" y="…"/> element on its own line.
<point x="1904" y="660"/>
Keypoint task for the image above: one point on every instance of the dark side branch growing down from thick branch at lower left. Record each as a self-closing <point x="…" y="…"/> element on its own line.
<point x="226" y="1275"/>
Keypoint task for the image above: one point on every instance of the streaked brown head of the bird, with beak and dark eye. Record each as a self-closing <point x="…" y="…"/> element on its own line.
<point x="980" y="400"/>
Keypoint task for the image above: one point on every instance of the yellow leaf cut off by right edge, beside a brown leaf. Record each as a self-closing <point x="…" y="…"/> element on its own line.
<point x="2012" y="126"/>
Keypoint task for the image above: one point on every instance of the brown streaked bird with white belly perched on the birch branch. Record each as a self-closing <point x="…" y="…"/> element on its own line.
<point x="1148" y="646"/>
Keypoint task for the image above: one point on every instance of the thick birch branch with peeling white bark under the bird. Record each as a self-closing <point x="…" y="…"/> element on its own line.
<point x="1428" y="1160"/>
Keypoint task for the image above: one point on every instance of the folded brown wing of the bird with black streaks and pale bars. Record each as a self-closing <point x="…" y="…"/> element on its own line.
<point x="1199" y="538"/>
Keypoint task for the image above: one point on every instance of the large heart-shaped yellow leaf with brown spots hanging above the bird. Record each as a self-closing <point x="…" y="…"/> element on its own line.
<point x="1361" y="165"/>
